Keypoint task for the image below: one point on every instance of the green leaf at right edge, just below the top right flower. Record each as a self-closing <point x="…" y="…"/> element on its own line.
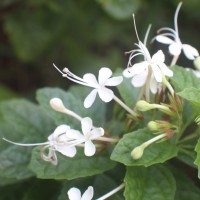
<point x="184" y="78"/>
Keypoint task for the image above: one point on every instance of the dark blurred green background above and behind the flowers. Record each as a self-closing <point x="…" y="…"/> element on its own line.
<point x="82" y="35"/>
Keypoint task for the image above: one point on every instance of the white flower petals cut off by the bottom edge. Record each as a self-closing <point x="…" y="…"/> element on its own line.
<point x="75" y="194"/>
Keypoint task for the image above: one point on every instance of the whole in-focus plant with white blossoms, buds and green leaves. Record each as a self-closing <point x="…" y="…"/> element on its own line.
<point x="135" y="153"/>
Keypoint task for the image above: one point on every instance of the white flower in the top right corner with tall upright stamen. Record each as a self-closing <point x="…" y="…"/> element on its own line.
<point x="171" y="37"/>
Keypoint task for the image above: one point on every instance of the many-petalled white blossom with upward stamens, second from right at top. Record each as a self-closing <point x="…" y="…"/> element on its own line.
<point x="149" y="72"/>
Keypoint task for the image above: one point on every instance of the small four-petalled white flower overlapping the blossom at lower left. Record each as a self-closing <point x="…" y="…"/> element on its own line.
<point x="89" y="133"/>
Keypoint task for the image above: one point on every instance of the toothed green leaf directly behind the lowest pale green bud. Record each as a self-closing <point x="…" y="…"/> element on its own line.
<point x="155" y="153"/>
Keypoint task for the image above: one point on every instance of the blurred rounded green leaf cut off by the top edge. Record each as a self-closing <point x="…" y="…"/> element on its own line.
<point x="120" y="9"/>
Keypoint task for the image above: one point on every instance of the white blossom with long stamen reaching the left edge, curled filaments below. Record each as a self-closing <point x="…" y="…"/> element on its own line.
<point x="57" y="141"/>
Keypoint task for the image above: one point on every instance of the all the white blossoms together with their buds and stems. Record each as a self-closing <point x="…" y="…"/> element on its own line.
<point x="152" y="75"/>
